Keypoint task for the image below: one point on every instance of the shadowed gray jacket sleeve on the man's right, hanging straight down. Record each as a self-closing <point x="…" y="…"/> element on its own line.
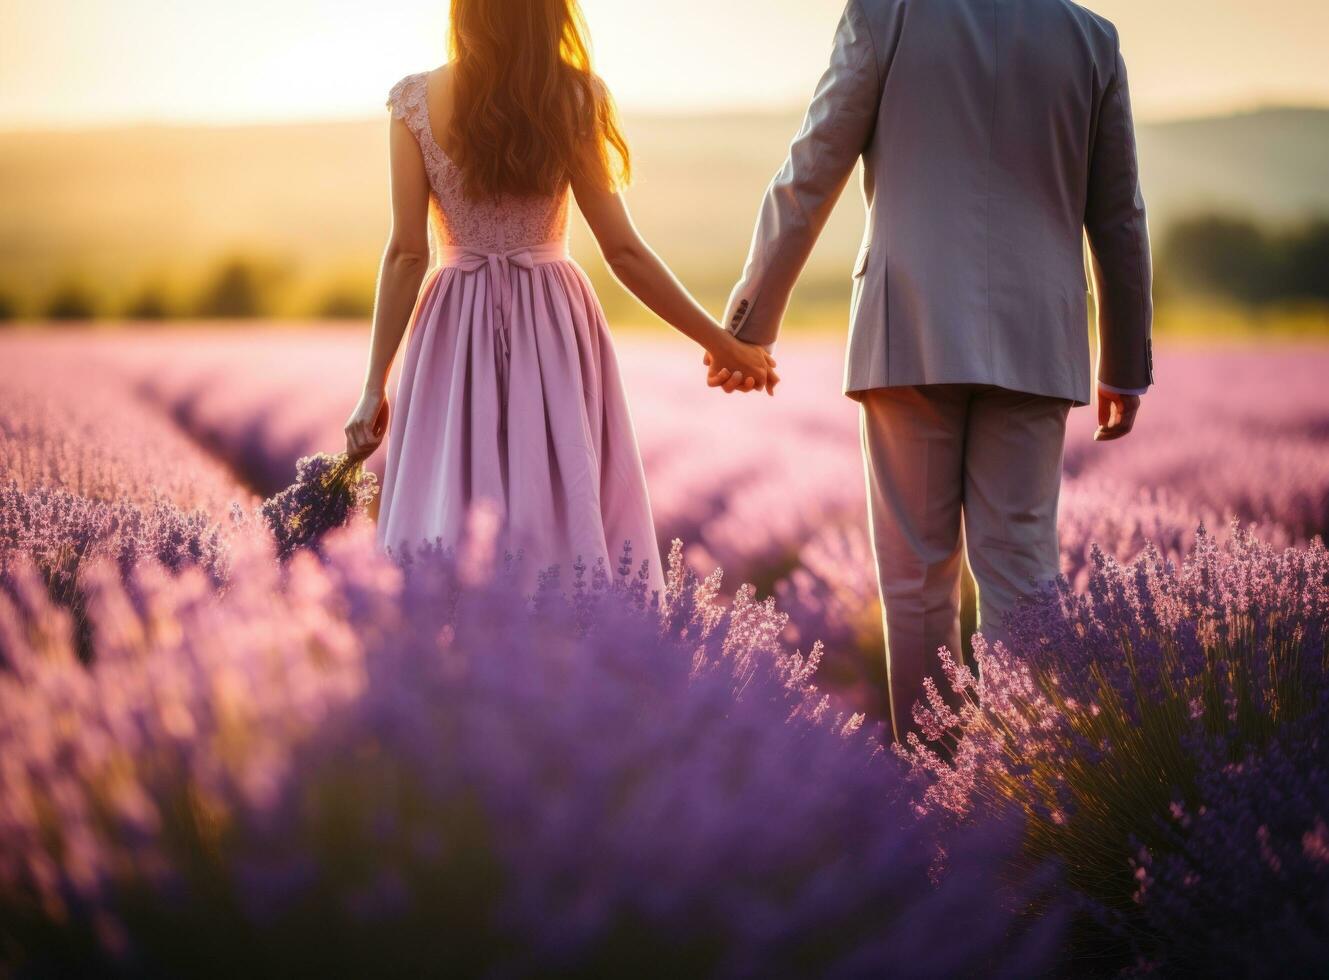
<point x="1120" y="241"/>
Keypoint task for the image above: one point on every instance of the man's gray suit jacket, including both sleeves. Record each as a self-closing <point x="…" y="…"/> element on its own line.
<point x="995" y="134"/>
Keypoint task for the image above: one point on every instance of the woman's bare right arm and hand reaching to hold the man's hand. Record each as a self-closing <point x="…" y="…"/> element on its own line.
<point x="648" y="279"/>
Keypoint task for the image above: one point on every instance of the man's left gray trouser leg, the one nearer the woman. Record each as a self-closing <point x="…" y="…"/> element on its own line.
<point x="914" y="447"/>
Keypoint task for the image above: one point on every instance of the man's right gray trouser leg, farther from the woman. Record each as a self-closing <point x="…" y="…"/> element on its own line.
<point x="1013" y="478"/>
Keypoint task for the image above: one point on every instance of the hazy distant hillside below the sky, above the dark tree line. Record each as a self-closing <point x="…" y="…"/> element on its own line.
<point x="123" y="205"/>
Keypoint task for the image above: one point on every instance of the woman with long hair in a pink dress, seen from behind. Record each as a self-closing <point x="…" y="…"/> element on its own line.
<point x="510" y="390"/>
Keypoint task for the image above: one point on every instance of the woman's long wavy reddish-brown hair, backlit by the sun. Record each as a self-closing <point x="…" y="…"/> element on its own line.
<point x="528" y="111"/>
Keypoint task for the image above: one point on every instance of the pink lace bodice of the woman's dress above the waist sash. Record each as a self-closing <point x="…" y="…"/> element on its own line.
<point x="510" y="223"/>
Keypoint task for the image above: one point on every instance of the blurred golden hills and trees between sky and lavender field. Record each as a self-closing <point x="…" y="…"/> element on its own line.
<point x="286" y="221"/>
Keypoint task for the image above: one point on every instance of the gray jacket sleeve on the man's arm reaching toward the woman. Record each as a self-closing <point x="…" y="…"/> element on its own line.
<point x="798" y="203"/>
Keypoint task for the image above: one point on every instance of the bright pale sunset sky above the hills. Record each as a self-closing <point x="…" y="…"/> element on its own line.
<point x="74" y="63"/>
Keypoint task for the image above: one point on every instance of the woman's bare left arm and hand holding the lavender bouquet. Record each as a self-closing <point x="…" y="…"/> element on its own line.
<point x="401" y="273"/>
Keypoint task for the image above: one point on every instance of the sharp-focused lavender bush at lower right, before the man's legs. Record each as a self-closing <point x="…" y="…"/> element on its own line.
<point x="1126" y="724"/>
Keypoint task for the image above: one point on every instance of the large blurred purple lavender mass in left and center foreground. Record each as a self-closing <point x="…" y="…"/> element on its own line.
<point x="340" y="767"/>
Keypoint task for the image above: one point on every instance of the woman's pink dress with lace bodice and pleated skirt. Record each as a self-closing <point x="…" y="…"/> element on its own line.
<point x="510" y="389"/>
